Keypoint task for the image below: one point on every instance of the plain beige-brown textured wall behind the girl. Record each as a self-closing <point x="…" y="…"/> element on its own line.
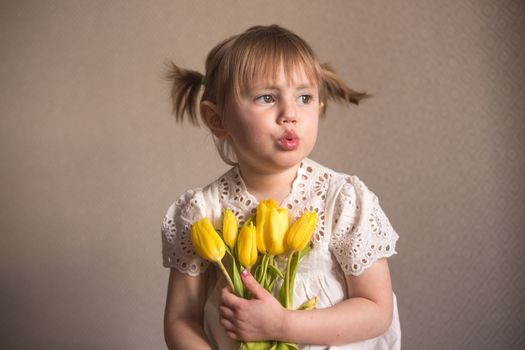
<point x="91" y="158"/>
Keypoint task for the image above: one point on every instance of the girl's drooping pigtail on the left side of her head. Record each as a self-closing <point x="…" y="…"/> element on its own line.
<point x="186" y="85"/>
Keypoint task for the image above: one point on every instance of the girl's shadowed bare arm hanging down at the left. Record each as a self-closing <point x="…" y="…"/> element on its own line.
<point x="183" y="323"/>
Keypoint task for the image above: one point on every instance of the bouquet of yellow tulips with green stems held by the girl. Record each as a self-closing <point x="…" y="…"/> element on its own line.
<point x="255" y="246"/>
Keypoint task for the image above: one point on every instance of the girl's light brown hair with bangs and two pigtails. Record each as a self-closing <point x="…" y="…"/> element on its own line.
<point x="259" y="52"/>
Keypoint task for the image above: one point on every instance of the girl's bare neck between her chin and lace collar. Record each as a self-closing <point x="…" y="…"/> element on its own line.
<point x="265" y="185"/>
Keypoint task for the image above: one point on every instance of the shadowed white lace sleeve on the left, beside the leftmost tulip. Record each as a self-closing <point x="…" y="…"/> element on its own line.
<point x="177" y="249"/>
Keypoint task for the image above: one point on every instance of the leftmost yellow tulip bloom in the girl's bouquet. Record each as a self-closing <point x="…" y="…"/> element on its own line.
<point x="207" y="241"/>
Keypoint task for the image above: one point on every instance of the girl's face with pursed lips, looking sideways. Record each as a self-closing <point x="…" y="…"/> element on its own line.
<point x="273" y="125"/>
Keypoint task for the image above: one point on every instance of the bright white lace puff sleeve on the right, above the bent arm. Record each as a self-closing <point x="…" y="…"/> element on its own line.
<point x="361" y="231"/>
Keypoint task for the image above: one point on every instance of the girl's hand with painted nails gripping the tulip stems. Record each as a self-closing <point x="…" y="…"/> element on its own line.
<point x="260" y="318"/>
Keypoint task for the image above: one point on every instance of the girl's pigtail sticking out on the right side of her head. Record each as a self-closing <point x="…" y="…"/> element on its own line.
<point x="336" y="89"/>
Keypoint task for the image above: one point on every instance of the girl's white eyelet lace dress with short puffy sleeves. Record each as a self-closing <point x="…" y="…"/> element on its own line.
<point x="352" y="232"/>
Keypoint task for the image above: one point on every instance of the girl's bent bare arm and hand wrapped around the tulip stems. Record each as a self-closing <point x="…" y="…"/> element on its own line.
<point x="367" y="313"/>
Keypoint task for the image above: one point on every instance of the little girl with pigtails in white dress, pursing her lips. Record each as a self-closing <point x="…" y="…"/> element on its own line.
<point x="263" y="93"/>
